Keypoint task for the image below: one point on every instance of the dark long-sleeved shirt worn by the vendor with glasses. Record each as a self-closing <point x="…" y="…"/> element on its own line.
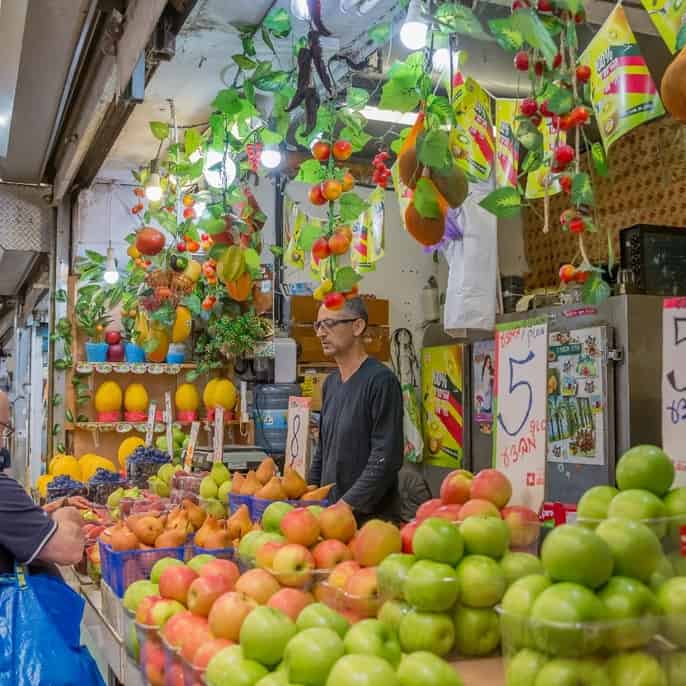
<point x="361" y="439"/>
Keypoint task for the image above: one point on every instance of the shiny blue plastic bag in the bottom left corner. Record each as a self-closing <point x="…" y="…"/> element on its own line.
<point x="40" y="622"/>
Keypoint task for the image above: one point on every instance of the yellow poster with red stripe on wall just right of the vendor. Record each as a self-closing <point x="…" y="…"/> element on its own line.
<point x="442" y="405"/>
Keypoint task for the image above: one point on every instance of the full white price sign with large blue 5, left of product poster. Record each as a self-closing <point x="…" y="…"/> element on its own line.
<point x="519" y="447"/>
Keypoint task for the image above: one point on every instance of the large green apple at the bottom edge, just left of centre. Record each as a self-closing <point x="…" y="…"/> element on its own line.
<point x="311" y="654"/>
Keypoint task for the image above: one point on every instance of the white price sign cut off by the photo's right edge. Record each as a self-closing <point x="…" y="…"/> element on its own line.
<point x="674" y="384"/>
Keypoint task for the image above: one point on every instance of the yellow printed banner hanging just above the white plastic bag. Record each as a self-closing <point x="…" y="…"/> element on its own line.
<point x="471" y="141"/>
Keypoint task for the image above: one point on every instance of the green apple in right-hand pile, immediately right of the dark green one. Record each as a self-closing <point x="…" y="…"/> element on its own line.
<point x="635" y="549"/>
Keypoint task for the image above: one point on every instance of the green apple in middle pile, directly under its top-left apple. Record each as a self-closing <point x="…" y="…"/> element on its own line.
<point x="431" y="586"/>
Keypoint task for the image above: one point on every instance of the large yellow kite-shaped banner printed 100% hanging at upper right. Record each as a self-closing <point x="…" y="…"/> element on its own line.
<point x="622" y="91"/>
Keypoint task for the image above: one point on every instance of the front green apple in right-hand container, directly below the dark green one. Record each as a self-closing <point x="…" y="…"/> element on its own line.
<point x="563" y="617"/>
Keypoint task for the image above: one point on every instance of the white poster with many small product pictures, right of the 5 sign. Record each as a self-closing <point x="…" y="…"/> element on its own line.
<point x="577" y="403"/>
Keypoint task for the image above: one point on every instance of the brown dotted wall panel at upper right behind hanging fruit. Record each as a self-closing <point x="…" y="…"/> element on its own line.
<point x="646" y="185"/>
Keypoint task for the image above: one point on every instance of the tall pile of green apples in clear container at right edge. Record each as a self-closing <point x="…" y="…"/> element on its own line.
<point x="608" y="608"/>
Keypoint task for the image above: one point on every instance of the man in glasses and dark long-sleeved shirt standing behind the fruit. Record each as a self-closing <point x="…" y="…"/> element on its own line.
<point x="361" y="432"/>
